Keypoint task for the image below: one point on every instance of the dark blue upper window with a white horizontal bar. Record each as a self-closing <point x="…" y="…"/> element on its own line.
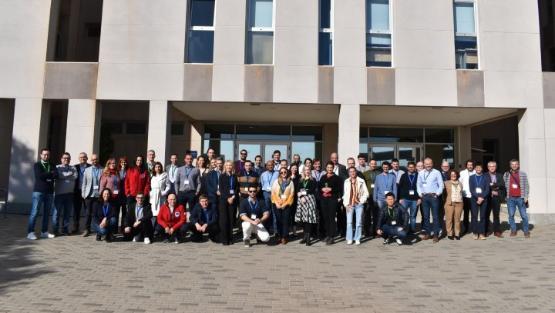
<point x="200" y="36"/>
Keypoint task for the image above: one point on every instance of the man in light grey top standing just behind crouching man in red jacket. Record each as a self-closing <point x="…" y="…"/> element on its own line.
<point x="187" y="183"/>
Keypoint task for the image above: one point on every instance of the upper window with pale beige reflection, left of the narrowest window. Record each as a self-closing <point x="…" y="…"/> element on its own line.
<point x="260" y="32"/>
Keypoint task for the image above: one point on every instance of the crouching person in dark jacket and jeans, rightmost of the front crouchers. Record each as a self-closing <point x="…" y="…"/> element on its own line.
<point x="393" y="221"/>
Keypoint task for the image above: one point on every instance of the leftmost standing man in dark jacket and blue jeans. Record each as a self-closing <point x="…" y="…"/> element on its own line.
<point x="43" y="195"/>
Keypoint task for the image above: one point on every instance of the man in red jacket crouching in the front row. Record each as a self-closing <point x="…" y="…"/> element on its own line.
<point x="172" y="220"/>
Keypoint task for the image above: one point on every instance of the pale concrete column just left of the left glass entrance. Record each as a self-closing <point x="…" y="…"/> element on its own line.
<point x="159" y="130"/>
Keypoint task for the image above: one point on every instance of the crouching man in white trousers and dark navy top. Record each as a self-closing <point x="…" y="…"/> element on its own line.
<point x="253" y="214"/>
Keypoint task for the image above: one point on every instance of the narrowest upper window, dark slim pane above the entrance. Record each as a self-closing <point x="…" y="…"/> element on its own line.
<point x="325" y="37"/>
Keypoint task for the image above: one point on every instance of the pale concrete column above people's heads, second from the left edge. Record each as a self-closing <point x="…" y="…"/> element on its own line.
<point x="83" y="127"/>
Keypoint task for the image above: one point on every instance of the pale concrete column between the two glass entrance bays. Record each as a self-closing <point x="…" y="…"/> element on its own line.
<point x="348" y="132"/>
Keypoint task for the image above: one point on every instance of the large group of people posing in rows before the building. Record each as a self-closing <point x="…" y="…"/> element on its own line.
<point x="214" y="197"/>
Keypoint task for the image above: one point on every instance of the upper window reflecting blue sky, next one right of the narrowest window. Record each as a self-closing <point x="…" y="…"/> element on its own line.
<point x="378" y="33"/>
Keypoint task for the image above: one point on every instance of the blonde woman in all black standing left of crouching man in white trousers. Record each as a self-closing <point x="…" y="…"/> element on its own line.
<point x="228" y="191"/>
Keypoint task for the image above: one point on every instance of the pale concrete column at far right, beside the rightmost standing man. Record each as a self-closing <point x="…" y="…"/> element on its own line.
<point x="532" y="154"/>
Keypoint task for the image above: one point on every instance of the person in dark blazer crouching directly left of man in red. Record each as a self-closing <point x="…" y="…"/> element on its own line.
<point x="138" y="221"/>
